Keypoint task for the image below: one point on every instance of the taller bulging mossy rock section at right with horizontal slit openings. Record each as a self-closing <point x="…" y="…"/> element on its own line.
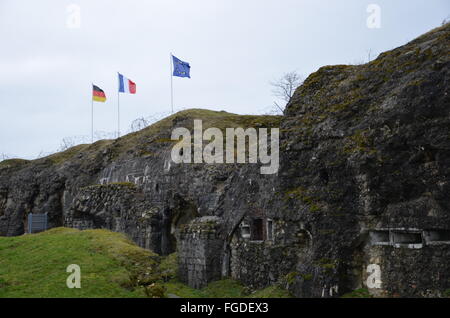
<point x="367" y="147"/>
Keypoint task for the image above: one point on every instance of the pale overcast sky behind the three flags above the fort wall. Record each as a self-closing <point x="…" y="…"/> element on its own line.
<point x="235" y="48"/>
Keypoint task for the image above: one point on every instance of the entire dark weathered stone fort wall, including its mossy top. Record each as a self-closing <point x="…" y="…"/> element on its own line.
<point x="360" y="200"/>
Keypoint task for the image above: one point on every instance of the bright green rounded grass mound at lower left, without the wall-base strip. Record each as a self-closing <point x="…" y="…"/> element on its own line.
<point x="35" y="265"/>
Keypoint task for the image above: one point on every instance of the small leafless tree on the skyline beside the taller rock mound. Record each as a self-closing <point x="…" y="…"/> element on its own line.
<point x="285" y="87"/>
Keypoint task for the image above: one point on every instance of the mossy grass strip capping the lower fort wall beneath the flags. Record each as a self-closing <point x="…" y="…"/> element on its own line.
<point x="145" y="141"/>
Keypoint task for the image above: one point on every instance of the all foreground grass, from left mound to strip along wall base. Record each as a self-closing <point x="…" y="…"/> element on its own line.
<point x="111" y="266"/>
